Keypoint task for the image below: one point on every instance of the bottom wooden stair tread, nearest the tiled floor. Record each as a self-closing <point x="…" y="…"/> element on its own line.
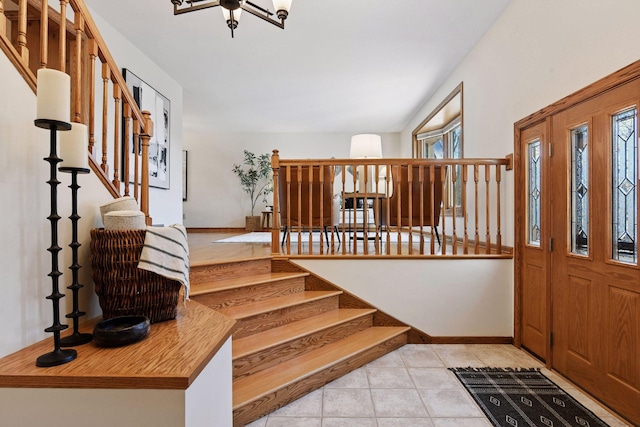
<point x="252" y="387"/>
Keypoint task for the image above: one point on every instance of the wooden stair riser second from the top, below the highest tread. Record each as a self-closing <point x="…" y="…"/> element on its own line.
<point x="232" y="297"/>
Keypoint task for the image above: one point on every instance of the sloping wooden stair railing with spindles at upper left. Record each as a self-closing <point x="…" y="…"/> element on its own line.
<point x="35" y="34"/>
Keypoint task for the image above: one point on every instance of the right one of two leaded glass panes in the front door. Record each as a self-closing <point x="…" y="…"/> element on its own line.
<point x="625" y="178"/>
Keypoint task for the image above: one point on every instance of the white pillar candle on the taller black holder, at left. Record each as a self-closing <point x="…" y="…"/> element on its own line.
<point x="54" y="95"/>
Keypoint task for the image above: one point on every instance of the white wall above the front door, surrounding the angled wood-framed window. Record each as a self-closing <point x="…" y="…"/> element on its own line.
<point x="537" y="53"/>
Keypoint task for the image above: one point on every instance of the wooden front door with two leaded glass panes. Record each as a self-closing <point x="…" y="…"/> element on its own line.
<point x="595" y="277"/>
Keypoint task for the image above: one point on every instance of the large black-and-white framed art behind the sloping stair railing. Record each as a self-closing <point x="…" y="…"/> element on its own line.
<point x="159" y="106"/>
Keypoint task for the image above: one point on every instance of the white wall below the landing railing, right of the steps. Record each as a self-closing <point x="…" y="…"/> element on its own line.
<point x="440" y="297"/>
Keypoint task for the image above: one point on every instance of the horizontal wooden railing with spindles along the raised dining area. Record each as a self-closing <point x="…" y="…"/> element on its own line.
<point x="389" y="207"/>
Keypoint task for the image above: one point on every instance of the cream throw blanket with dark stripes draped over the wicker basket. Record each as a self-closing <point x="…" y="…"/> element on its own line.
<point x="166" y="252"/>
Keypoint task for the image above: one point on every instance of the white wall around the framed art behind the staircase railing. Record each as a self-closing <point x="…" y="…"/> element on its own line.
<point x="165" y="206"/>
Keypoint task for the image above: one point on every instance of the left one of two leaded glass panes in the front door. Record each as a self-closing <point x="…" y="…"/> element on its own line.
<point x="580" y="190"/>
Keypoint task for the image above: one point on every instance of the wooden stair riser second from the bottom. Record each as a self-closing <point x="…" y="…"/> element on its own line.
<point x="265" y="359"/>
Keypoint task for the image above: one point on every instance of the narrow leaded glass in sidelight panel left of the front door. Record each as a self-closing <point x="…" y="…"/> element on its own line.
<point x="534" y="171"/>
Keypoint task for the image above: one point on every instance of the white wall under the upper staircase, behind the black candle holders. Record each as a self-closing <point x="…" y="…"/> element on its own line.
<point x="25" y="230"/>
